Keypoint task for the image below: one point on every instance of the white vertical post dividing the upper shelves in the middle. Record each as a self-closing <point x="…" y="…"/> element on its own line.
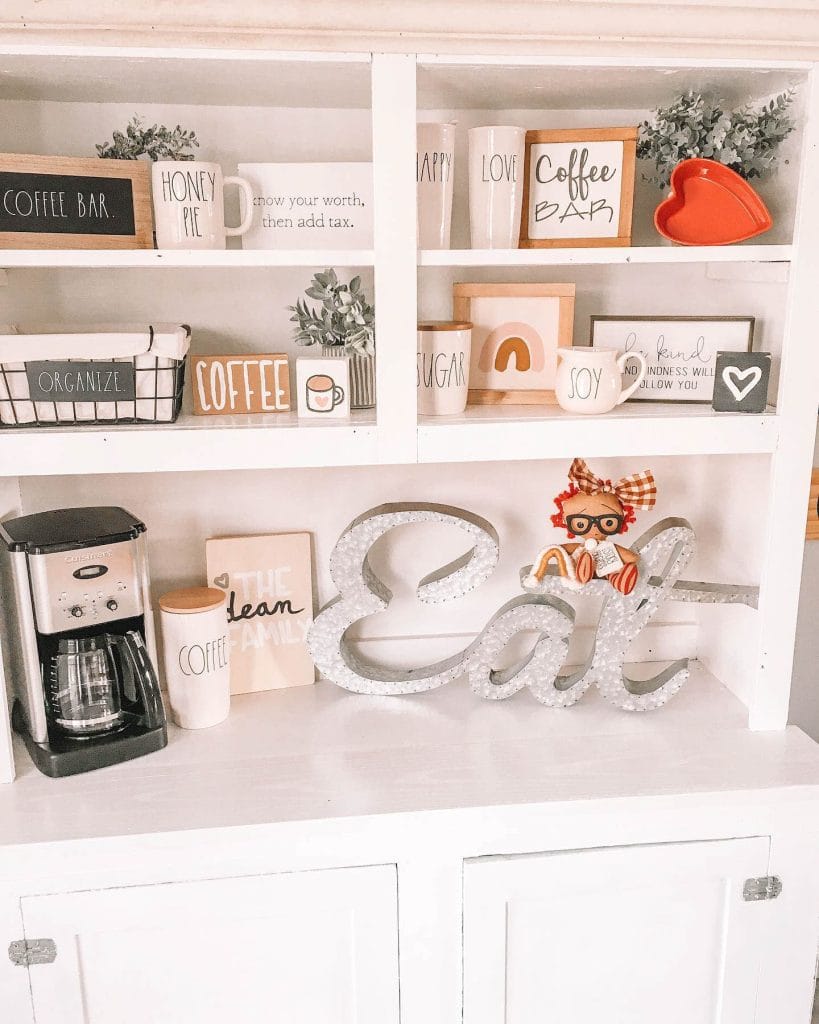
<point x="396" y="233"/>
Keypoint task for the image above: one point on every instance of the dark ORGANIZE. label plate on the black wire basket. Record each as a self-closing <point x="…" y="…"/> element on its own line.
<point x="57" y="380"/>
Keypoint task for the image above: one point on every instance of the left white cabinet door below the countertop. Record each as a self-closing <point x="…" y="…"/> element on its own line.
<point x="316" y="948"/>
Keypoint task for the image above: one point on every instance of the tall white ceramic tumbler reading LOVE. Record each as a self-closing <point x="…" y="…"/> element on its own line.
<point x="496" y="186"/>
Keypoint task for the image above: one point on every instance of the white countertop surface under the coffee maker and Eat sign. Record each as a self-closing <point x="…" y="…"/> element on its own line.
<point x="319" y="753"/>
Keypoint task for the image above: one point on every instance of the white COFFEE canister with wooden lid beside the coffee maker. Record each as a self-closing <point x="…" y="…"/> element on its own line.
<point x="197" y="656"/>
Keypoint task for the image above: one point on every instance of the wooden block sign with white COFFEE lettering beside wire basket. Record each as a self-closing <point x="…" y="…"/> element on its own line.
<point x="236" y="385"/>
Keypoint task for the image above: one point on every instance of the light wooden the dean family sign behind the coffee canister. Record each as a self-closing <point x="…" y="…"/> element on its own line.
<point x="269" y="581"/>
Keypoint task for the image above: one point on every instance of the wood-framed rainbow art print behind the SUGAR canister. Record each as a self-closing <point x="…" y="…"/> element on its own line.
<point x="516" y="332"/>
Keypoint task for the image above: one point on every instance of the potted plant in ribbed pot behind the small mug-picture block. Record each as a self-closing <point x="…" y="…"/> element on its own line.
<point x="343" y="324"/>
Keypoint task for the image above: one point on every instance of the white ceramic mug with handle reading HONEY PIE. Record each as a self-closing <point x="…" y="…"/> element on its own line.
<point x="189" y="205"/>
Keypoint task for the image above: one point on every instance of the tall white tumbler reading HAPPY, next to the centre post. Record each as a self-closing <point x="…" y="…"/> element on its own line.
<point x="436" y="177"/>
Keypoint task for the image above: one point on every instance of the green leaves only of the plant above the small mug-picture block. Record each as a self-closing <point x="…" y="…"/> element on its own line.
<point x="344" y="318"/>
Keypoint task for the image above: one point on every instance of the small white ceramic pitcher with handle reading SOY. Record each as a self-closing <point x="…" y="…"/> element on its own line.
<point x="590" y="380"/>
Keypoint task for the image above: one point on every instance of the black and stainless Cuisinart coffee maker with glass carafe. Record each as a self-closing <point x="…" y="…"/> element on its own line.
<point x="88" y="692"/>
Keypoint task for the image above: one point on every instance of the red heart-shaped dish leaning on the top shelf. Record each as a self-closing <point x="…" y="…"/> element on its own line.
<point x="711" y="205"/>
